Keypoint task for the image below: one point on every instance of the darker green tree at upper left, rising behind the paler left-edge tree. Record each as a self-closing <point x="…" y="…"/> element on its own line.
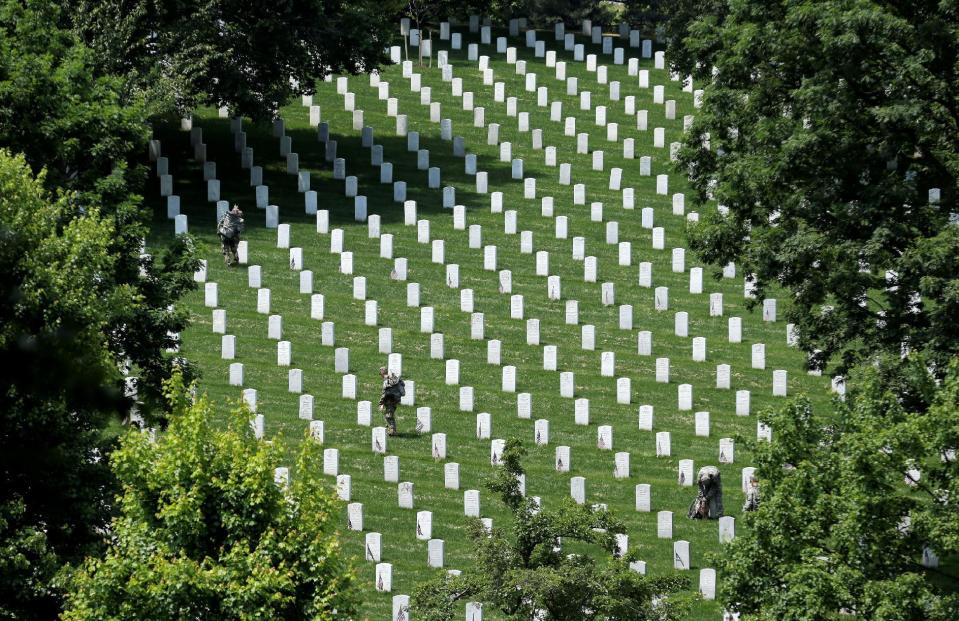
<point x="80" y="126"/>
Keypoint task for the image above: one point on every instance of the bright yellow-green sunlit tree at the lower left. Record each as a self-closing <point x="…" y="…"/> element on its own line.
<point x="205" y="532"/>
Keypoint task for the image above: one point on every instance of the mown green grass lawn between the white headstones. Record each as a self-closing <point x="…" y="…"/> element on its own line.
<point x="280" y="407"/>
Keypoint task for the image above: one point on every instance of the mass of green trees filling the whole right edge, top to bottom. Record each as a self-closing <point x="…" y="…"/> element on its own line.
<point x="828" y="135"/>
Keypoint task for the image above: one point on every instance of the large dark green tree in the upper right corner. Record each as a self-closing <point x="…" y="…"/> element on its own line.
<point x="828" y="134"/>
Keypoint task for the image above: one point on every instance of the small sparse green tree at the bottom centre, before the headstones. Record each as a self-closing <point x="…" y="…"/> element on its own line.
<point x="522" y="570"/>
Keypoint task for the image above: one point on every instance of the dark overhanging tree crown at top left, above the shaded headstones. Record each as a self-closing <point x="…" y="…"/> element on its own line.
<point x="251" y="57"/>
